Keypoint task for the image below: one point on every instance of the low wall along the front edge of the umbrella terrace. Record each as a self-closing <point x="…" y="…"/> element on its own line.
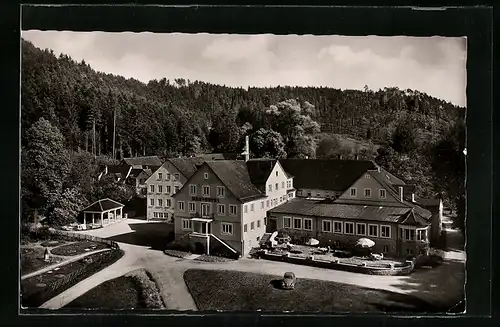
<point x="405" y="269"/>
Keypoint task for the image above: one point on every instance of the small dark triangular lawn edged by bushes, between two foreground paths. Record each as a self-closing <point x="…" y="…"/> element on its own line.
<point x="135" y="290"/>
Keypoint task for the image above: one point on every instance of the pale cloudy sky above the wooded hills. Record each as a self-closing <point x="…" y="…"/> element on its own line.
<point x="434" y="65"/>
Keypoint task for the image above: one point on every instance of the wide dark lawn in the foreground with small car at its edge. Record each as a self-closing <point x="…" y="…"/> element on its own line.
<point x="240" y="291"/>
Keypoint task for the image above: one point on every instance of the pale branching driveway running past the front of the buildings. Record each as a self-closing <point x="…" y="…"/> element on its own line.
<point x="140" y="239"/>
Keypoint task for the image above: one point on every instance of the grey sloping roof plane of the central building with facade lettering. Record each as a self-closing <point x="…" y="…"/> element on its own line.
<point x="234" y="175"/>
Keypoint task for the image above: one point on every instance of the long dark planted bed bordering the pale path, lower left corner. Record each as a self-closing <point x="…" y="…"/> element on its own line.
<point x="38" y="289"/>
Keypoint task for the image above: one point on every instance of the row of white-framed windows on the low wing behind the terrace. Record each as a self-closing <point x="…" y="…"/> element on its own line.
<point x="339" y="227"/>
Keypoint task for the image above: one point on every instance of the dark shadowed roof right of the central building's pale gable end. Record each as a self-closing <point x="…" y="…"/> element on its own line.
<point x="325" y="174"/>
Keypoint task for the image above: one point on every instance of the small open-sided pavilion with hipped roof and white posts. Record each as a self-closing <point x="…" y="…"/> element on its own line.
<point x="108" y="211"/>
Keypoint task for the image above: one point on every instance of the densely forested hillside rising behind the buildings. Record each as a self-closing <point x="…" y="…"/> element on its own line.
<point x="182" y="117"/>
